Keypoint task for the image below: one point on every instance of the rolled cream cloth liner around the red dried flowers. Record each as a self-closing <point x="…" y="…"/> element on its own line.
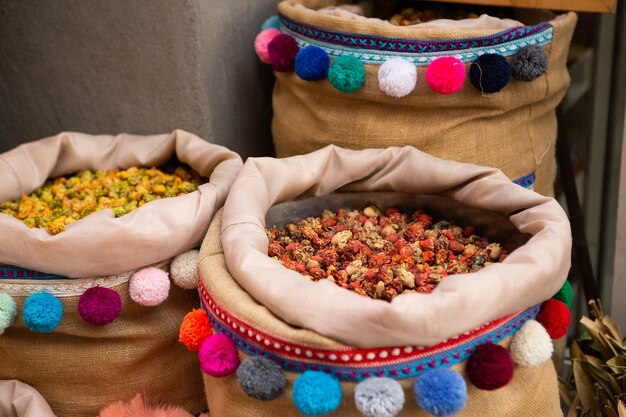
<point x="528" y="276"/>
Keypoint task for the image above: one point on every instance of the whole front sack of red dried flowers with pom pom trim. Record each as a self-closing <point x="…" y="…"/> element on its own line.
<point x="470" y="340"/>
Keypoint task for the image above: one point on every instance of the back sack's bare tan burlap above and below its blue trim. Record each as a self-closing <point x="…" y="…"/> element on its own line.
<point x="513" y="130"/>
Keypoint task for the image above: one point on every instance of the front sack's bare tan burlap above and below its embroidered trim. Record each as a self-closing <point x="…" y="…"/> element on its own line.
<point x="532" y="392"/>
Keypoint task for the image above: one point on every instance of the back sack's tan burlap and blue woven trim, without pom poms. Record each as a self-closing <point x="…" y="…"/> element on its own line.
<point x="513" y="130"/>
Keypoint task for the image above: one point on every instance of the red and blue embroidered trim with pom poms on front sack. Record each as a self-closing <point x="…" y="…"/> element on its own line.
<point x="438" y="389"/>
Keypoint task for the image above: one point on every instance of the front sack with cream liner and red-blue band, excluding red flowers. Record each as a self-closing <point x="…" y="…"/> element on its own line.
<point x="303" y="326"/>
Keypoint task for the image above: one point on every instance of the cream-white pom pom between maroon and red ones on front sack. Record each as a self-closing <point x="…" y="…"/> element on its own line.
<point x="531" y="345"/>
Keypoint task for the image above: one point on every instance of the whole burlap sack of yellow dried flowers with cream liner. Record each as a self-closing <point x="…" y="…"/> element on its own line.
<point x="94" y="229"/>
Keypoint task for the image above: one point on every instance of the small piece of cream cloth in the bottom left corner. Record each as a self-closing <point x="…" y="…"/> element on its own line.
<point x="21" y="400"/>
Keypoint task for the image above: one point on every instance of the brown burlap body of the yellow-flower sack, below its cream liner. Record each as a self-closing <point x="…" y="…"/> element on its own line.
<point x="81" y="368"/>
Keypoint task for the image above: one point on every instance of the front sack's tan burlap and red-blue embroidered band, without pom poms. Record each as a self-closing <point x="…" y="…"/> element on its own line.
<point x="258" y="332"/>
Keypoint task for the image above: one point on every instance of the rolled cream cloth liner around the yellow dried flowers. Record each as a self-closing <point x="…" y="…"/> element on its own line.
<point x="101" y="244"/>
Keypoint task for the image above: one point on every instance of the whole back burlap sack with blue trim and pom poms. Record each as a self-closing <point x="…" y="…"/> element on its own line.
<point x="481" y="90"/>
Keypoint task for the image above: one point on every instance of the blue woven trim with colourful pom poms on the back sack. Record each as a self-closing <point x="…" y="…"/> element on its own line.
<point x="446" y="59"/>
